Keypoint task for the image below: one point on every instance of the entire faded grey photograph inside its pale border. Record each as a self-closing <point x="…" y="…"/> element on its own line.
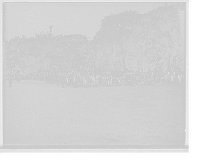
<point x="94" y="75"/>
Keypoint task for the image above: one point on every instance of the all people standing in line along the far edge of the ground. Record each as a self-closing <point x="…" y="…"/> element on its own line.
<point x="87" y="77"/>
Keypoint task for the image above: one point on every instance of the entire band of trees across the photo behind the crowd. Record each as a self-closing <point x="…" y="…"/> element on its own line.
<point x="135" y="41"/>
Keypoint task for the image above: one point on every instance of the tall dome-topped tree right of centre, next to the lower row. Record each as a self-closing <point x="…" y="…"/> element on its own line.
<point x="117" y="29"/>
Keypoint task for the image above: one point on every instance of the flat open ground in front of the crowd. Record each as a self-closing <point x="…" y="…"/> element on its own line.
<point x="36" y="113"/>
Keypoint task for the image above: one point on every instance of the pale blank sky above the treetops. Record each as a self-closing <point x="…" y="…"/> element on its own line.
<point x="67" y="18"/>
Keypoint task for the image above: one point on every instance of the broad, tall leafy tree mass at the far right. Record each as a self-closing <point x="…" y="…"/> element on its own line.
<point x="156" y="37"/>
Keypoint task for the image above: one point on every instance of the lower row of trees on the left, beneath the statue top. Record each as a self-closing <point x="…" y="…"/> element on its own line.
<point x="38" y="52"/>
